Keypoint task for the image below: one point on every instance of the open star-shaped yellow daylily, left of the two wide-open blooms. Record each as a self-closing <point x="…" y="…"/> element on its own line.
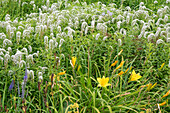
<point x="103" y="82"/>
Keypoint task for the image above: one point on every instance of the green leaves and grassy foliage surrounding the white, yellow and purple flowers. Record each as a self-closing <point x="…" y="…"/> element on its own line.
<point x="95" y="58"/>
